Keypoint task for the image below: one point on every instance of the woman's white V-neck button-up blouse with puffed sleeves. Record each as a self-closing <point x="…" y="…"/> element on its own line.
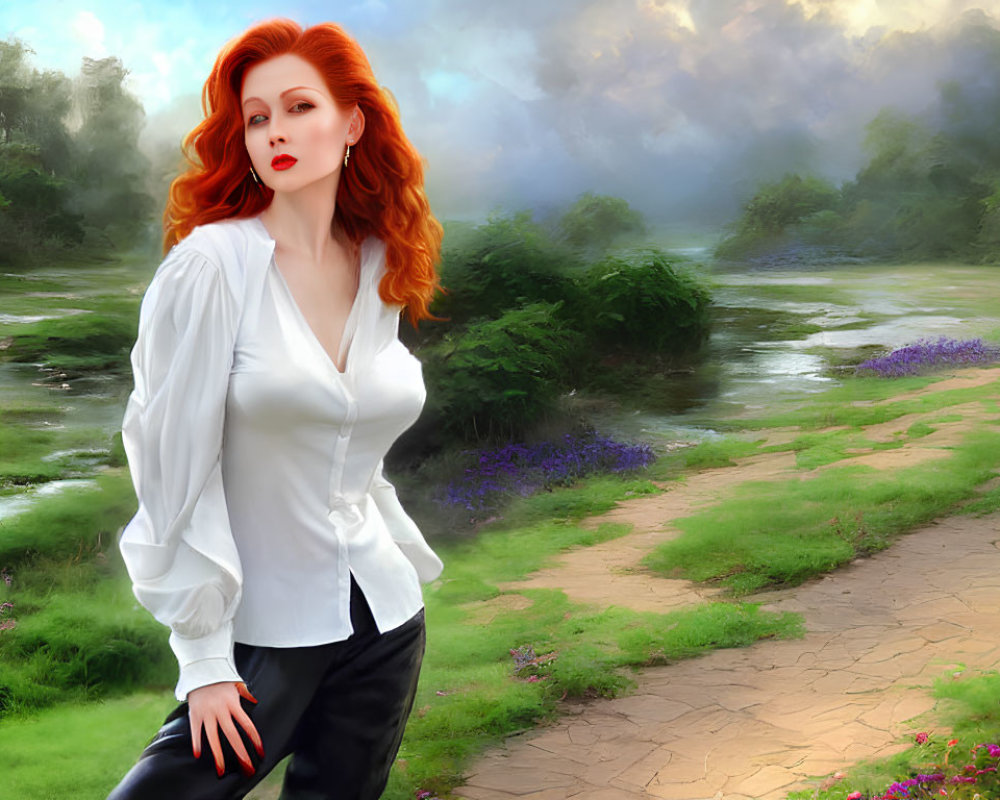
<point x="258" y="464"/>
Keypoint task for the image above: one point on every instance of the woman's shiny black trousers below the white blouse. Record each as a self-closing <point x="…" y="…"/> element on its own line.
<point x="338" y="709"/>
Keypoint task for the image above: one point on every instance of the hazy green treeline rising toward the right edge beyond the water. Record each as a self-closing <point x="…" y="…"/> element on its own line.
<point x="930" y="190"/>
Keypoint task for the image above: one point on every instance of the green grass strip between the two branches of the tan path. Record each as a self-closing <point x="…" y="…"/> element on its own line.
<point x="782" y="533"/>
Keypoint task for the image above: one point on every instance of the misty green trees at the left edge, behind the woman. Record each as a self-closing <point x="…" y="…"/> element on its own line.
<point x="71" y="173"/>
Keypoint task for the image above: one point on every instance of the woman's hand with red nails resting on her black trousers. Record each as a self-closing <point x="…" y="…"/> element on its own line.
<point x="217" y="706"/>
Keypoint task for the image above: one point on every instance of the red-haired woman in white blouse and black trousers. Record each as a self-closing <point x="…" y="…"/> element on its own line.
<point x="269" y="383"/>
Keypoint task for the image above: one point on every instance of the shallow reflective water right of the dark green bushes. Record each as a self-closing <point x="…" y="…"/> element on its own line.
<point x="780" y="335"/>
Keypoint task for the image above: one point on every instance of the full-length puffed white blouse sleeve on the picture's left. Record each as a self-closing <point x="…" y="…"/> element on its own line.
<point x="179" y="548"/>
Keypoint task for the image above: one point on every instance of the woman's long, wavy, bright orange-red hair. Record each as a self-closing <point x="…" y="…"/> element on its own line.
<point x="381" y="193"/>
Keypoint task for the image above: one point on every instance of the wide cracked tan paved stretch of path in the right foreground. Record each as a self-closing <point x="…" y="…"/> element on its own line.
<point x="754" y="723"/>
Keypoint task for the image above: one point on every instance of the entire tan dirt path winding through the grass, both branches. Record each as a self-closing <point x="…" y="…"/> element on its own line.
<point x="753" y="724"/>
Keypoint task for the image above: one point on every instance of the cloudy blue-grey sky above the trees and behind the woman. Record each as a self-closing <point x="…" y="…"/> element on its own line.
<point x="680" y="106"/>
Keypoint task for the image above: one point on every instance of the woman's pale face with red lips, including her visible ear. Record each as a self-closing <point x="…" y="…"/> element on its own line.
<point x="294" y="130"/>
